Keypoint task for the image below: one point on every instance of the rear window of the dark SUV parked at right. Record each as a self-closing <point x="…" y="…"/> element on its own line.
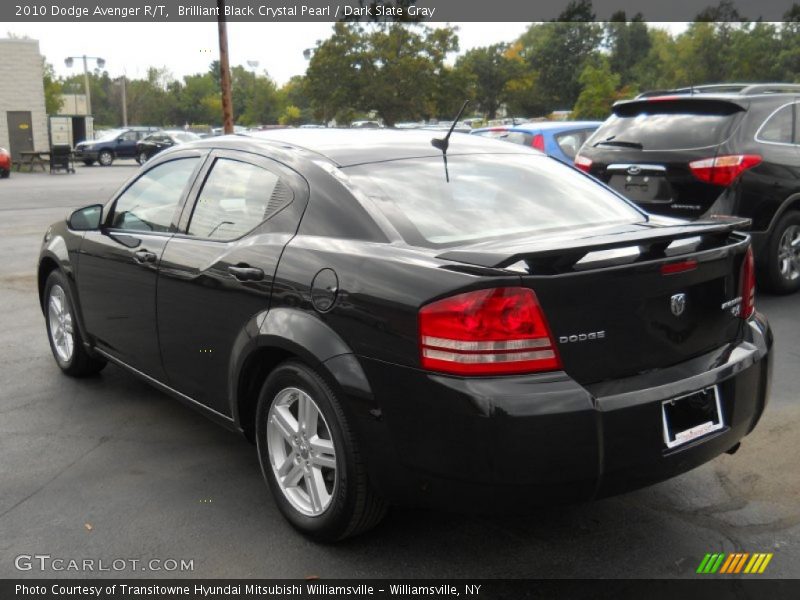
<point x="667" y="125"/>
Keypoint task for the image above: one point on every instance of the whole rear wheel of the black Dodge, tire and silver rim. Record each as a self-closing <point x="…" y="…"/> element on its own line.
<point x="310" y="458"/>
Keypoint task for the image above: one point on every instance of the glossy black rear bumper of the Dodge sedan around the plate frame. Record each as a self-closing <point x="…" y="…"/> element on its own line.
<point x="510" y="443"/>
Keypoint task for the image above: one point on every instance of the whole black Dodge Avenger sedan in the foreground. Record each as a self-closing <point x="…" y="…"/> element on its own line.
<point x="392" y="321"/>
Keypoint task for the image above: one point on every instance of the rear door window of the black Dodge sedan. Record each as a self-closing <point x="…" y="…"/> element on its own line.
<point x="236" y="198"/>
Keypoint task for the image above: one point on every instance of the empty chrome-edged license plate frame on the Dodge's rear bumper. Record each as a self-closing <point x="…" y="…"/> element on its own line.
<point x="691" y="416"/>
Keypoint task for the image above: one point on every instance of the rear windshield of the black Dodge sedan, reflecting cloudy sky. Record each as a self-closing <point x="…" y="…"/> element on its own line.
<point x="488" y="196"/>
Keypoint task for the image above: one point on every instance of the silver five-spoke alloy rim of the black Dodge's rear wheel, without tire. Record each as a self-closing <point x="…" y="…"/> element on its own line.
<point x="301" y="451"/>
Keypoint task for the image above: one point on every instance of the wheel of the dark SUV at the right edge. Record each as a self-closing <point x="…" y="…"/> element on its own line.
<point x="783" y="255"/>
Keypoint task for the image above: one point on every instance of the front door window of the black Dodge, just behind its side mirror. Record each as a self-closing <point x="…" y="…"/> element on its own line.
<point x="150" y="202"/>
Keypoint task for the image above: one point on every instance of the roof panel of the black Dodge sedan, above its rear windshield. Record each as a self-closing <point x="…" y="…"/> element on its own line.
<point x="357" y="146"/>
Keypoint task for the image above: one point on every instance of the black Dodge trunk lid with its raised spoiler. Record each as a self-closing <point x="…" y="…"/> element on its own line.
<point x="613" y="310"/>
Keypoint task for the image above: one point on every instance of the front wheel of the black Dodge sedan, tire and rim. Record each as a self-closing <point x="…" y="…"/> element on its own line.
<point x="62" y="330"/>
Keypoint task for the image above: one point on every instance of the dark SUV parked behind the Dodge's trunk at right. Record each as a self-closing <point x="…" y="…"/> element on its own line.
<point x="719" y="149"/>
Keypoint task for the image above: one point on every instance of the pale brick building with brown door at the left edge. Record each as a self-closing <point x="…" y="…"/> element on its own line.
<point x="23" y="118"/>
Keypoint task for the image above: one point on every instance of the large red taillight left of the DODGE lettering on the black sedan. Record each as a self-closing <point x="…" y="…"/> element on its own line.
<point x="498" y="331"/>
